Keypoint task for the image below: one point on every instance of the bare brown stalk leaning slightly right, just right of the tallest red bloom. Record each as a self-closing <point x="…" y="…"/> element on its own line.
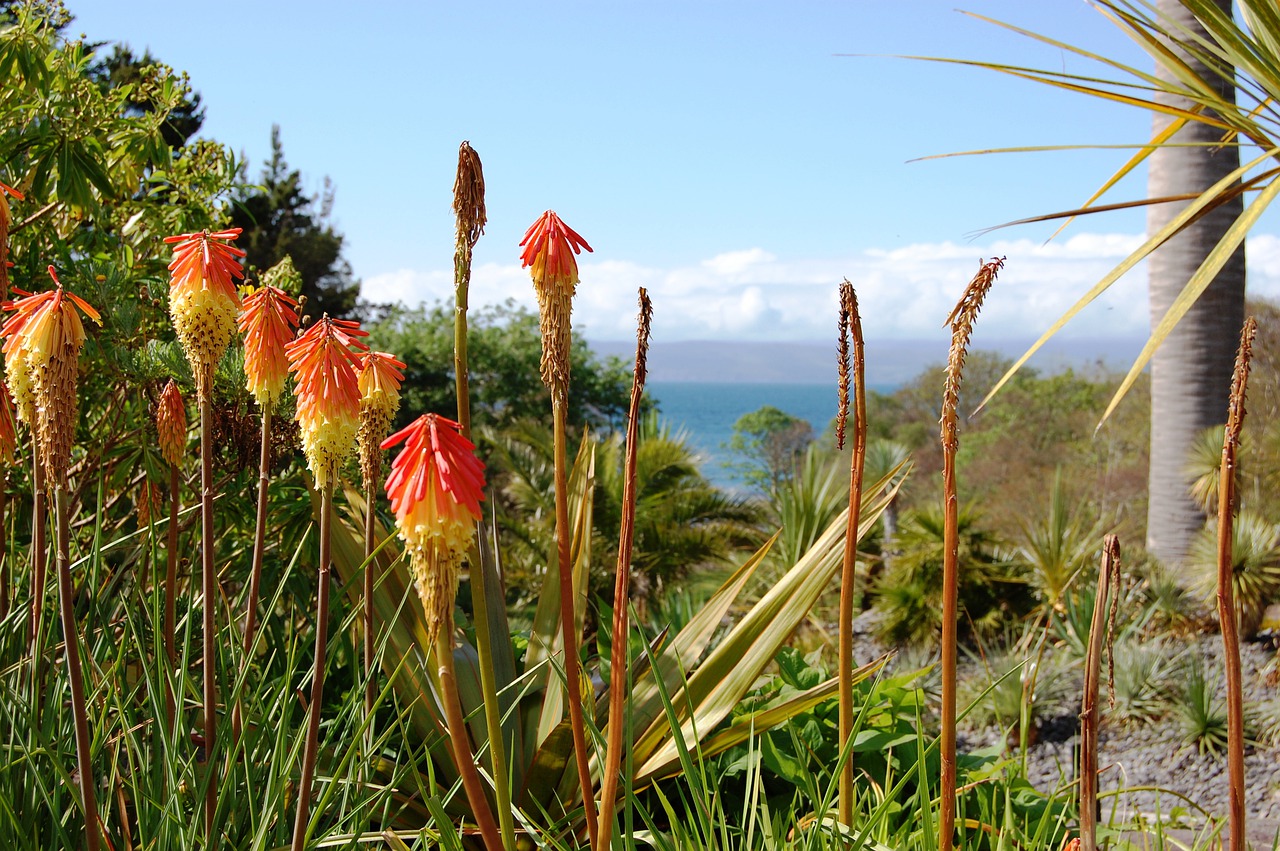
<point x="621" y="584"/>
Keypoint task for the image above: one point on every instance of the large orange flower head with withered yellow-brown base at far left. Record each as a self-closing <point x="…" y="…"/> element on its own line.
<point x="44" y="337"/>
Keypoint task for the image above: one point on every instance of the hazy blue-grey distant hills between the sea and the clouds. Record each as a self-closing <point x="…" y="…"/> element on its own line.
<point x="889" y="363"/>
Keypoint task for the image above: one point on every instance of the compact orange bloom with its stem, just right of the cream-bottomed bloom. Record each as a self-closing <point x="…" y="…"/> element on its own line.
<point x="269" y="323"/>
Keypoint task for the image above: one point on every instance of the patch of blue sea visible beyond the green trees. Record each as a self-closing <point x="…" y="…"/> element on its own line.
<point x="707" y="413"/>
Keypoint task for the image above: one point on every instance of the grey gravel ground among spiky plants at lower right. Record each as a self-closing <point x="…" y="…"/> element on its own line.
<point x="1140" y="758"/>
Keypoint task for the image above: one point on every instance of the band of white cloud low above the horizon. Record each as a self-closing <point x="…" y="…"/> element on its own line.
<point x="904" y="292"/>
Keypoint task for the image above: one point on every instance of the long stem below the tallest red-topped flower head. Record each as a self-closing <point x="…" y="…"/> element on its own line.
<point x="569" y="623"/>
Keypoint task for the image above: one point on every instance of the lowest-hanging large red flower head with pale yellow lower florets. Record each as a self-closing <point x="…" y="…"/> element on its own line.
<point x="436" y="488"/>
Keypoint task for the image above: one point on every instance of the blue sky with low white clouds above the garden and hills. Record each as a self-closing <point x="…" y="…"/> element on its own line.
<point x="728" y="155"/>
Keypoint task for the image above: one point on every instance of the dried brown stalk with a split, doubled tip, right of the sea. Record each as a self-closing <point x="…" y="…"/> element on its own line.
<point x="851" y="330"/>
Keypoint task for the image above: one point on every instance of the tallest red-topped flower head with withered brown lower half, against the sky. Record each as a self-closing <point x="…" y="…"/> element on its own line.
<point x="550" y="249"/>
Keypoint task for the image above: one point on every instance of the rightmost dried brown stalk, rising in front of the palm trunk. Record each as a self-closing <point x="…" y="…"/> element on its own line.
<point x="1228" y="616"/>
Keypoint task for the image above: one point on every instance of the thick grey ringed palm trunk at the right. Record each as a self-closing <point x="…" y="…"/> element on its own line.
<point x="1191" y="374"/>
